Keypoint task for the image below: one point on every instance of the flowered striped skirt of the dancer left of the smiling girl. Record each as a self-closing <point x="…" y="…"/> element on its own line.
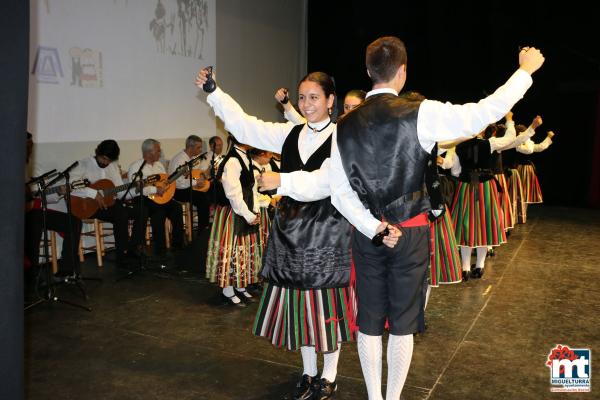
<point x="233" y="260"/>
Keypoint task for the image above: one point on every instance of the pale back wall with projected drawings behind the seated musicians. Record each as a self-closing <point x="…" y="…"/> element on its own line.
<point x="137" y="88"/>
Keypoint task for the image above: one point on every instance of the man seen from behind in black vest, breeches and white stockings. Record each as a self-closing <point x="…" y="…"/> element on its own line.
<point x="399" y="134"/>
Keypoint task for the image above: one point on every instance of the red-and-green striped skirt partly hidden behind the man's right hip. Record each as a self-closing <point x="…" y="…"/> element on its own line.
<point x="445" y="264"/>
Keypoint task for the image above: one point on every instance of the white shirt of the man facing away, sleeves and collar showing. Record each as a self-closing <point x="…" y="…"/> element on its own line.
<point x="436" y="121"/>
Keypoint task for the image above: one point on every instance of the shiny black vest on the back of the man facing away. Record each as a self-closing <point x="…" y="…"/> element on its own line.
<point x="383" y="159"/>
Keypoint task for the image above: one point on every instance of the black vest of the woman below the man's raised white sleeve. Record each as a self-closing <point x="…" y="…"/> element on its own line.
<point x="475" y="160"/>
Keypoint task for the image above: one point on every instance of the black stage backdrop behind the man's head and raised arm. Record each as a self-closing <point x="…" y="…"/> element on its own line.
<point x="459" y="51"/>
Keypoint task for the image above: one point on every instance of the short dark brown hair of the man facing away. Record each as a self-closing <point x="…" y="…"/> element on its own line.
<point x="384" y="57"/>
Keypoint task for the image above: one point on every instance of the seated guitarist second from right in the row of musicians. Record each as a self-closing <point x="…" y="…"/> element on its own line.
<point x="193" y="147"/>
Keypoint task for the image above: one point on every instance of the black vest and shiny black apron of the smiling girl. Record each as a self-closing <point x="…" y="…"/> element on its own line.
<point x="309" y="242"/>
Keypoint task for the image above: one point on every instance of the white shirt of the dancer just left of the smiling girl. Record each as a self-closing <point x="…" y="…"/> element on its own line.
<point x="233" y="187"/>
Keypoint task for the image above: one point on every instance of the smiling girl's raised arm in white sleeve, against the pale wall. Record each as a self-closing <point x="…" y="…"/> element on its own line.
<point x="246" y="129"/>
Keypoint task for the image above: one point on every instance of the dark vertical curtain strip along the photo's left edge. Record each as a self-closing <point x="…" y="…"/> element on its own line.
<point x="14" y="36"/>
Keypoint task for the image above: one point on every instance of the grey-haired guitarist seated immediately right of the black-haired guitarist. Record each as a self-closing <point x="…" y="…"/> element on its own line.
<point x="158" y="212"/>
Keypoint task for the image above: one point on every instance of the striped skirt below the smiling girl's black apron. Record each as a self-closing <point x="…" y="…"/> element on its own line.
<point x="292" y="318"/>
